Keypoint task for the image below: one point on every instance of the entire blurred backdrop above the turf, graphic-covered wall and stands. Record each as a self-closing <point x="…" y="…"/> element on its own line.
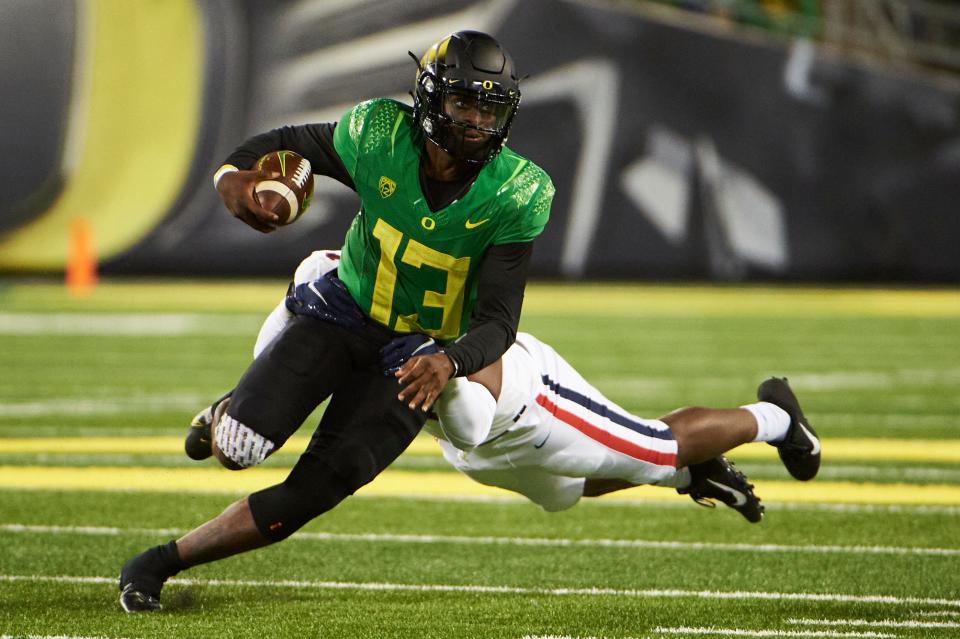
<point x="727" y="140"/>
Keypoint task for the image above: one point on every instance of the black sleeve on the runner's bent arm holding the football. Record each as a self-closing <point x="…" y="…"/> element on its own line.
<point x="312" y="141"/>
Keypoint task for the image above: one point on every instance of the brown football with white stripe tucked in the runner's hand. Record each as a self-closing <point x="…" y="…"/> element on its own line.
<point x="288" y="194"/>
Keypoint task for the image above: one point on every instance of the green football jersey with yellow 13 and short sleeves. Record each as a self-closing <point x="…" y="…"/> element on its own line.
<point x="409" y="268"/>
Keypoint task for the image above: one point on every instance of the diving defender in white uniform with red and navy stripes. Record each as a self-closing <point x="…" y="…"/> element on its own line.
<point x="530" y="423"/>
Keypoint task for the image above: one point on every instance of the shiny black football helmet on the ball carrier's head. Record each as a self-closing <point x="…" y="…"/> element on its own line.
<point x="466" y="95"/>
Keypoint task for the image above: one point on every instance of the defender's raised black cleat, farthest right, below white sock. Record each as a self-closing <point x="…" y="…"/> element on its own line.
<point x="800" y="449"/>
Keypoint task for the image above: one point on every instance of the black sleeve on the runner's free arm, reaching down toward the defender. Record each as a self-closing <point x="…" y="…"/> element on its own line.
<point x="493" y="325"/>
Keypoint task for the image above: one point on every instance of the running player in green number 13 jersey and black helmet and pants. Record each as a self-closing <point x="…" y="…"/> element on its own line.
<point x="440" y="246"/>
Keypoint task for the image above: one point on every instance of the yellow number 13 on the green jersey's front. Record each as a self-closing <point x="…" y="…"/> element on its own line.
<point x="417" y="255"/>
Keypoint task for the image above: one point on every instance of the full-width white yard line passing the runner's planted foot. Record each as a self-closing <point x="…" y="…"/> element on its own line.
<point x="738" y="595"/>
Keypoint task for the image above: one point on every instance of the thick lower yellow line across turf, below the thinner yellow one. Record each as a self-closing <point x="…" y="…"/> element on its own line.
<point x="394" y="483"/>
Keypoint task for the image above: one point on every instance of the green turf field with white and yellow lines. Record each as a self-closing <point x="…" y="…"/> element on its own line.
<point x="95" y="394"/>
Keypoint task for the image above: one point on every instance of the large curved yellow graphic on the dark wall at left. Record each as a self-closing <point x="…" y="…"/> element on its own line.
<point x="135" y="115"/>
